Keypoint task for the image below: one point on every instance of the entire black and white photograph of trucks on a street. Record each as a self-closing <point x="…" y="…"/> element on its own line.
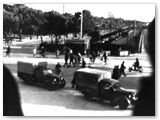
<point x="79" y="59"/>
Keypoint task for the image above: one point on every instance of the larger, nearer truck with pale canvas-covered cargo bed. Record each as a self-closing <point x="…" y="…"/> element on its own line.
<point x="94" y="83"/>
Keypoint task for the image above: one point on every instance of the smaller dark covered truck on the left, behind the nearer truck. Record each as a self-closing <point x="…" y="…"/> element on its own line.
<point x="39" y="74"/>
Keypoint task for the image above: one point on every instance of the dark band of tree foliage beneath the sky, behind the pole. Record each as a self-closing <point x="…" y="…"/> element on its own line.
<point x="21" y="19"/>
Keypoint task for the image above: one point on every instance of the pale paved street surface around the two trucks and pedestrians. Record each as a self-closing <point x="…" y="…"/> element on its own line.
<point x="37" y="101"/>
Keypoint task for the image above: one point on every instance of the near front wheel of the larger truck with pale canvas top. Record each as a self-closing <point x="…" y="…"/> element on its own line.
<point x="123" y="103"/>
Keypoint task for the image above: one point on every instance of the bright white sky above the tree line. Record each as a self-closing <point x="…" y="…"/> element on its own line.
<point x="142" y="12"/>
